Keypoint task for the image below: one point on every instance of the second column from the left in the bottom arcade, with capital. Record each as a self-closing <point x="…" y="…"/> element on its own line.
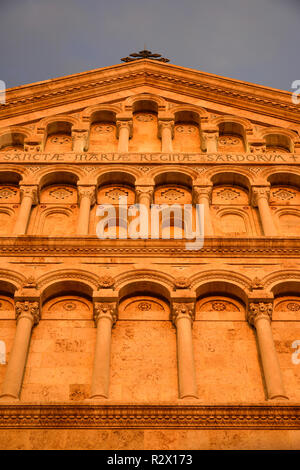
<point x="105" y="315"/>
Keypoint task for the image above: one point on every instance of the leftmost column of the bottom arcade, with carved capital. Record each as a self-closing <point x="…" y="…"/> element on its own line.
<point x="28" y="315"/>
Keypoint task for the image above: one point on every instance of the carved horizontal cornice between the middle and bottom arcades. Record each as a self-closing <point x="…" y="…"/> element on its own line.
<point x="91" y="246"/>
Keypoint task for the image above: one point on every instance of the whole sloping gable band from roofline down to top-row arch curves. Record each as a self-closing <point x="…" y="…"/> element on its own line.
<point x="177" y="85"/>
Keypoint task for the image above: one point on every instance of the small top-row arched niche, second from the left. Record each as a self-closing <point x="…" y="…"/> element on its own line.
<point x="59" y="137"/>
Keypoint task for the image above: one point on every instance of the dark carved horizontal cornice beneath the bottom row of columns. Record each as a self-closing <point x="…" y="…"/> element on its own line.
<point x="173" y="416"/>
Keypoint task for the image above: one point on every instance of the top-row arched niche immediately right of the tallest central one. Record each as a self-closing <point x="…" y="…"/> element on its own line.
<point x="186" y="132"/>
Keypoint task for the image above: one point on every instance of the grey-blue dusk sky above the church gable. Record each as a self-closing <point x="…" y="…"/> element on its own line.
<point x="253" y="40"/>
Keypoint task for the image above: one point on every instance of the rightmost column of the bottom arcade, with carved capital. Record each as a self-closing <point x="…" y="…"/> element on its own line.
<point x="260" y="315"/>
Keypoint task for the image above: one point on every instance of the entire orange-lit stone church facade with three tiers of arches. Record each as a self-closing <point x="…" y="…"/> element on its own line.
<point x="144" y="342"/>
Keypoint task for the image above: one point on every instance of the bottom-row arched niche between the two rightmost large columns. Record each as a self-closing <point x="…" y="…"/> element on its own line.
<point x="225" y="351"/>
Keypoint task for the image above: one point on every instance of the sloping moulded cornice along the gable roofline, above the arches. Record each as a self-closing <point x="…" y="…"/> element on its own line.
<point x="184" y="81"/>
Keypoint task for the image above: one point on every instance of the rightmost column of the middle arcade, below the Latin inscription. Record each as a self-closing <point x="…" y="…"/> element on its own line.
<point x="260" y="198"/>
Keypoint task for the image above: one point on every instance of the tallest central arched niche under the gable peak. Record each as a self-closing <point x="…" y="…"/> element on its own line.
<point x="145" y="127"/>
